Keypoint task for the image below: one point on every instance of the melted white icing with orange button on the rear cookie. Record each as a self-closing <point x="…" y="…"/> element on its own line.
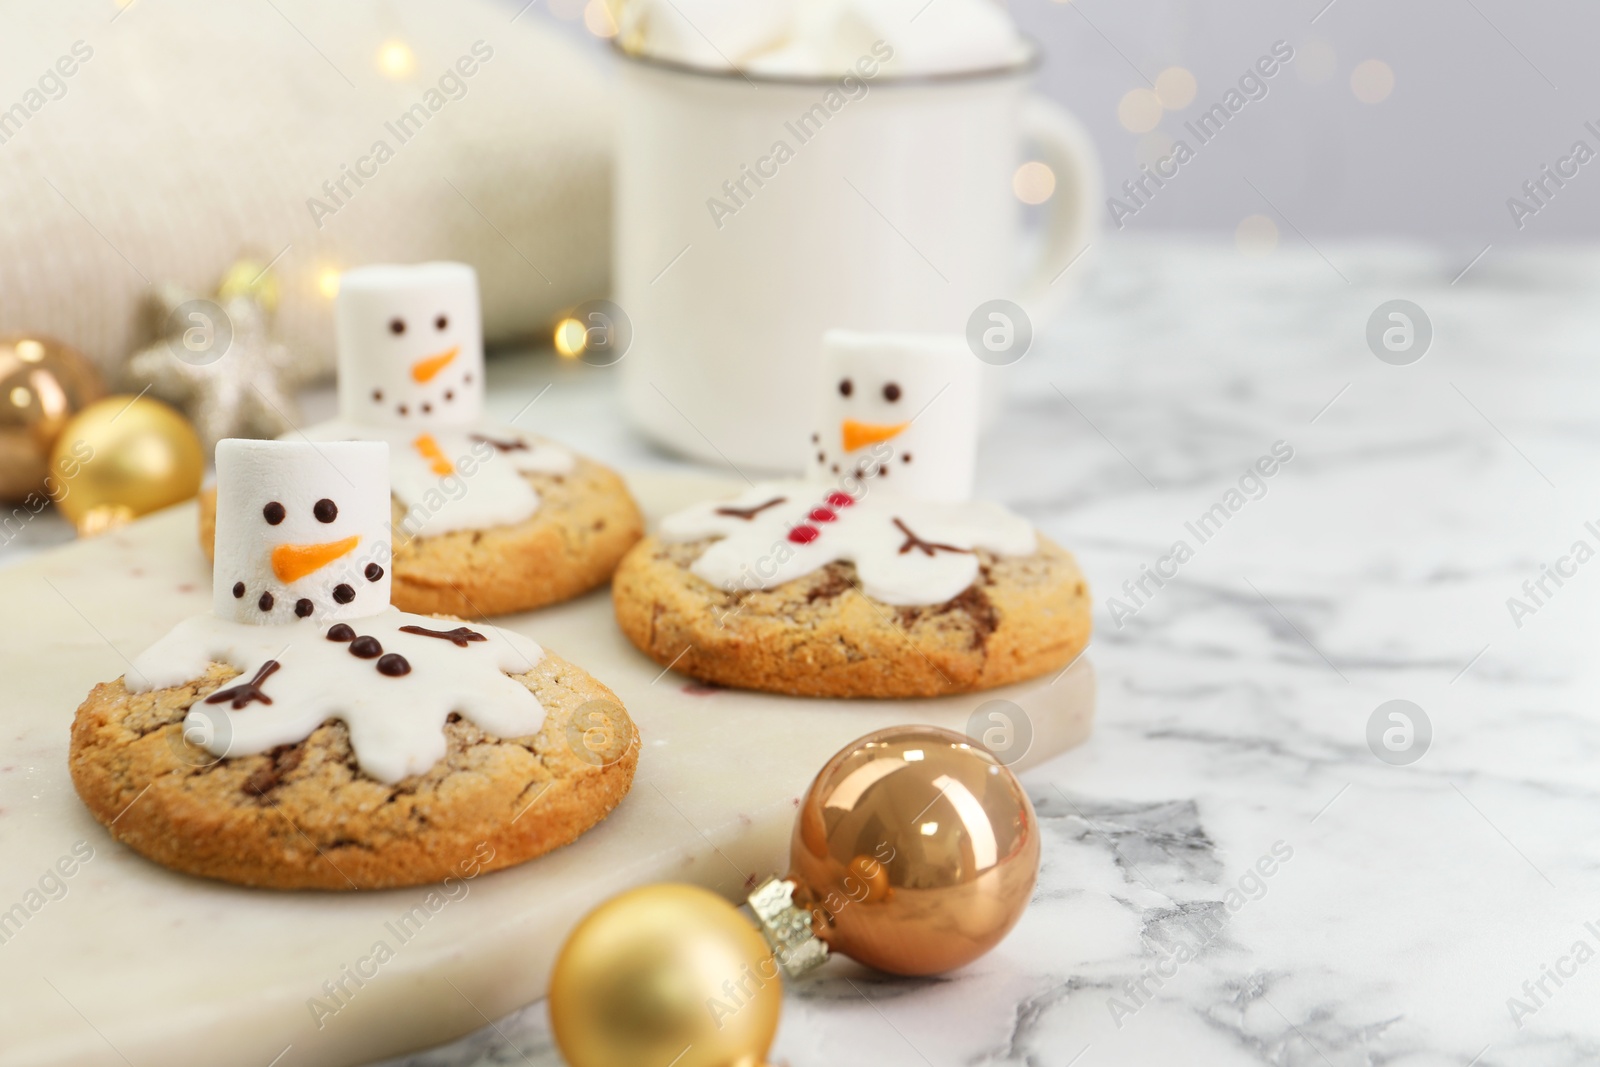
<point x="484" y="484"/>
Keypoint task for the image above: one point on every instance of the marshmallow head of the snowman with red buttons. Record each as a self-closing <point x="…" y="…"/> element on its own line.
<point x="902" y="404"/>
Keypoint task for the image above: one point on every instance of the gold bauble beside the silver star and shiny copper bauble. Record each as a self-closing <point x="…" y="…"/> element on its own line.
<point x="122" y="458"/>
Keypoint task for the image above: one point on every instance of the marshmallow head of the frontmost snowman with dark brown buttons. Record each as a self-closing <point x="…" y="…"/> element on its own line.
<point x="302" y="530"/>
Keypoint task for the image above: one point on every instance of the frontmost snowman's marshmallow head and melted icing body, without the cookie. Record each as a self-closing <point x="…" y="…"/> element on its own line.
<point x="302" y="610"/>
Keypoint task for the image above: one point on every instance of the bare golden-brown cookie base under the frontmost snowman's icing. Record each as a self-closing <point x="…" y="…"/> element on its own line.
<point x="305" y="817"/>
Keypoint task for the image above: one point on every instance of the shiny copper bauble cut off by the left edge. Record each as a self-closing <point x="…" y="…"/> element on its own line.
<point x="42" y="385"/>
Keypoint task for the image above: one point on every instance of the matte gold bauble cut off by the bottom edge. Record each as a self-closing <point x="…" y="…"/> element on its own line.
<point x="665" y="975"/>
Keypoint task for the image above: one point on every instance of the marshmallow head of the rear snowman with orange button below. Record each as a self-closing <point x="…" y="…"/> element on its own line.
<point x="410" y="346"/>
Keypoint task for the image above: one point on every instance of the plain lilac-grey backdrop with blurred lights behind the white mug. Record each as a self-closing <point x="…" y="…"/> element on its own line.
<point x="1486" y="94"/>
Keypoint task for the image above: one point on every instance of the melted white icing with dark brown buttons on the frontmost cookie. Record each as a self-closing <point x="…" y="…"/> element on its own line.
<point x="398" y="724"/>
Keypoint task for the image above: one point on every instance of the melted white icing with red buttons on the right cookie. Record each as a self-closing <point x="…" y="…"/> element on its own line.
<point x="906" y="551"/>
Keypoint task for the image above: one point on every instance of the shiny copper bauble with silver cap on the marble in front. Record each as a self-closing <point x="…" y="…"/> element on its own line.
<point x="916" y="852"/>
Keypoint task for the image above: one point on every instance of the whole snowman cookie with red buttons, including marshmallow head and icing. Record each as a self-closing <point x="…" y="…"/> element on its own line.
<point x="882" y="580"/>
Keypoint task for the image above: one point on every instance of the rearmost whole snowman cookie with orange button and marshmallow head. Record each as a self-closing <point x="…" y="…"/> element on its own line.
<point x="489" y="519"/>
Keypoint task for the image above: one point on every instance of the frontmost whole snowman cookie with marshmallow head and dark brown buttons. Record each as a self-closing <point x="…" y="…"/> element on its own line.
<point x="346" y="745"/>
